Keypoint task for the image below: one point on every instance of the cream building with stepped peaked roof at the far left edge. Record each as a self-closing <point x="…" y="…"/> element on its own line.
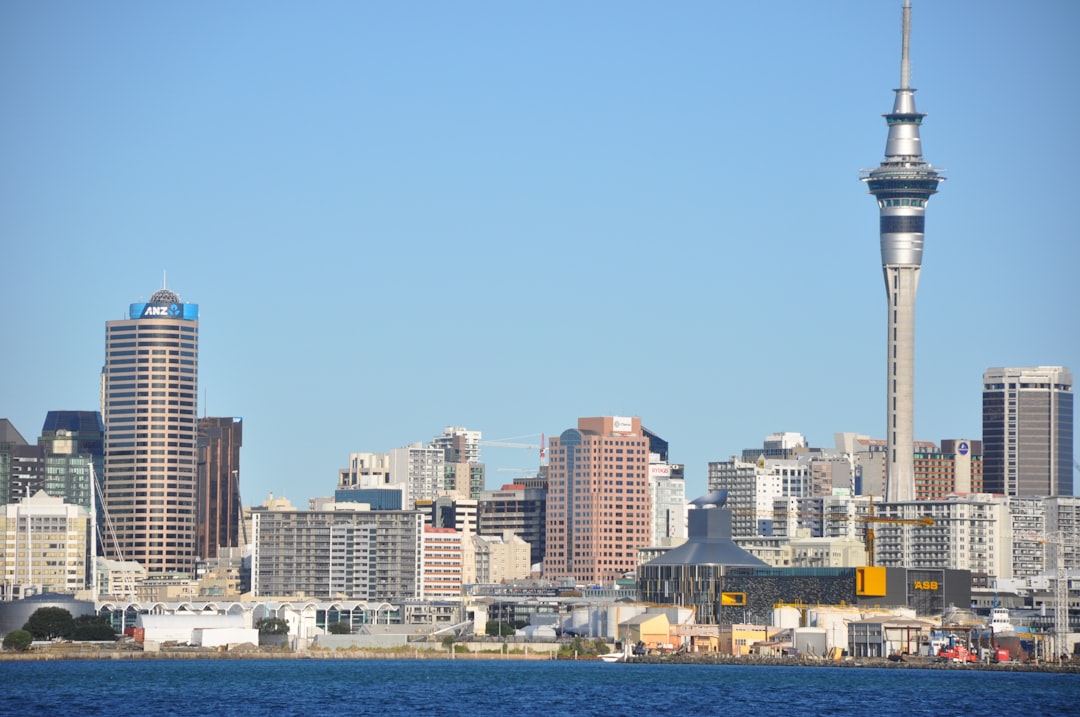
<point x="45" y="547"/>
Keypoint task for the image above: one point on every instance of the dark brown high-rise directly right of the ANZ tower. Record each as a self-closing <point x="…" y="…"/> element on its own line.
<point x="219" y="486"/>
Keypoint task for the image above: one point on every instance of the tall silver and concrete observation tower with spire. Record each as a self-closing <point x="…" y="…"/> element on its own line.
<point x="902" y="184"/>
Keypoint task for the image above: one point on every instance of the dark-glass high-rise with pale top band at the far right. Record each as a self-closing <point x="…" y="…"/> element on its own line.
<point x="1028" y="431"/>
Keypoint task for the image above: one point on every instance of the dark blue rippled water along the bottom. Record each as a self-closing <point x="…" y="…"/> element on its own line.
<point x="315" y="688"/>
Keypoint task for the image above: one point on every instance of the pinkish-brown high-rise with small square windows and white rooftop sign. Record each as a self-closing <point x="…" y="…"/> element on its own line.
<point x="599" y="509"/>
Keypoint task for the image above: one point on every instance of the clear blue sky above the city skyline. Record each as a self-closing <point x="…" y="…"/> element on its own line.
<point x="402" y="217"/>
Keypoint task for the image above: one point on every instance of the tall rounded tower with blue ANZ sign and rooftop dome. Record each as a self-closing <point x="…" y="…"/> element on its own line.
<point x="150" y="387"/>
